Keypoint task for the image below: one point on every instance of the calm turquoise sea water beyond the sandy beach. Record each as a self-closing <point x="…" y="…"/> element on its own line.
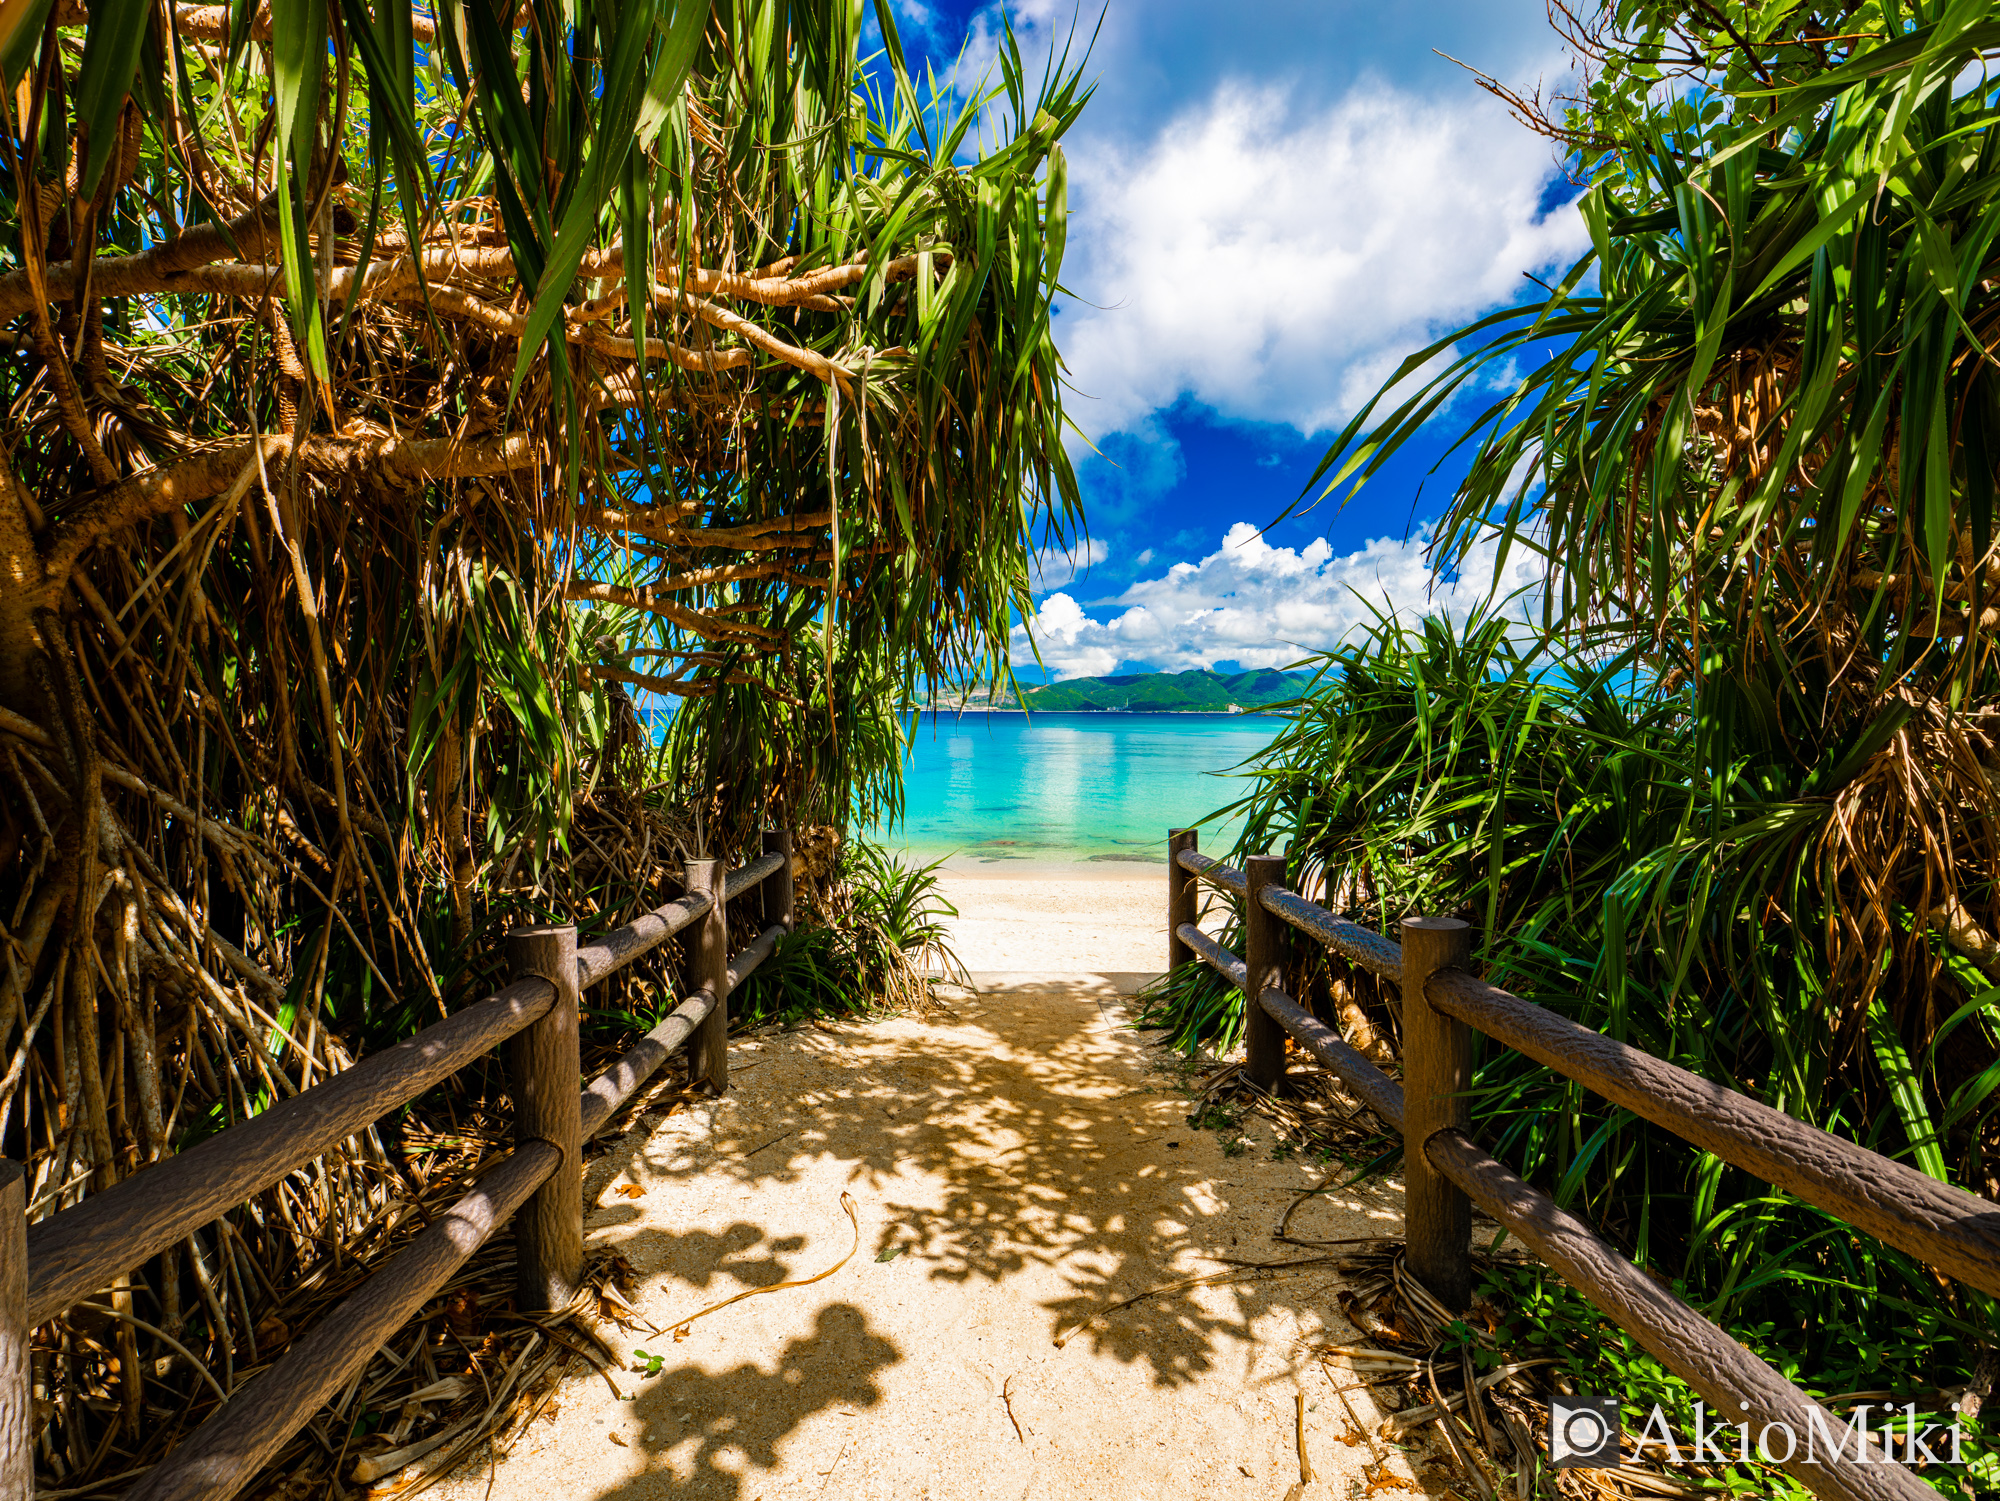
<point x="989" y="790"/>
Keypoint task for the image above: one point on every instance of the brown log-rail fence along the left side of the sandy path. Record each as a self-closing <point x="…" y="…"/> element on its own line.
<point x="63" y="1260"/>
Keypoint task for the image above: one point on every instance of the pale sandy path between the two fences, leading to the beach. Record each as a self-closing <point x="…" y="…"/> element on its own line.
<point x="1015" y="1170"/>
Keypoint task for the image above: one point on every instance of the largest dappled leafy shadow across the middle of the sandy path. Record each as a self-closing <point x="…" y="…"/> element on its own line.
<point x="1029" y="1116"/>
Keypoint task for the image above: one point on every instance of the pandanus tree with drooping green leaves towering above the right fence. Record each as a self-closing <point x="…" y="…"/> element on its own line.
<point x="1757" y="449"/>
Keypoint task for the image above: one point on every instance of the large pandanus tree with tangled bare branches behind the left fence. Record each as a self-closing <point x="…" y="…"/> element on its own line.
<point x="391" y="397"/>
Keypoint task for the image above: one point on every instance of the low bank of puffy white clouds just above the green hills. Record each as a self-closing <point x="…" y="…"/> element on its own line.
<point x="1263" y="605"/>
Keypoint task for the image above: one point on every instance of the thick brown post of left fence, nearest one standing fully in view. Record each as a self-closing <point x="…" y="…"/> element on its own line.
<point x="547" y="1074"/>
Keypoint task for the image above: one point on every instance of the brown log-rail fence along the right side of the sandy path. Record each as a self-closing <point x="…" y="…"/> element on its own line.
<point x="1447" y="1172"/>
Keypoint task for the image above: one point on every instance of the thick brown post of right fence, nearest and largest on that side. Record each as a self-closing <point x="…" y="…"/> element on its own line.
<point x="1437" y="1072"/>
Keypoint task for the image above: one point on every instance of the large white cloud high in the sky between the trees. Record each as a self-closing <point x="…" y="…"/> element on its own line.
<point x="1279" y="261"/>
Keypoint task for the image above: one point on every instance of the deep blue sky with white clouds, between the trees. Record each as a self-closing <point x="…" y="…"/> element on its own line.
<point x="1271" y="205"/>
